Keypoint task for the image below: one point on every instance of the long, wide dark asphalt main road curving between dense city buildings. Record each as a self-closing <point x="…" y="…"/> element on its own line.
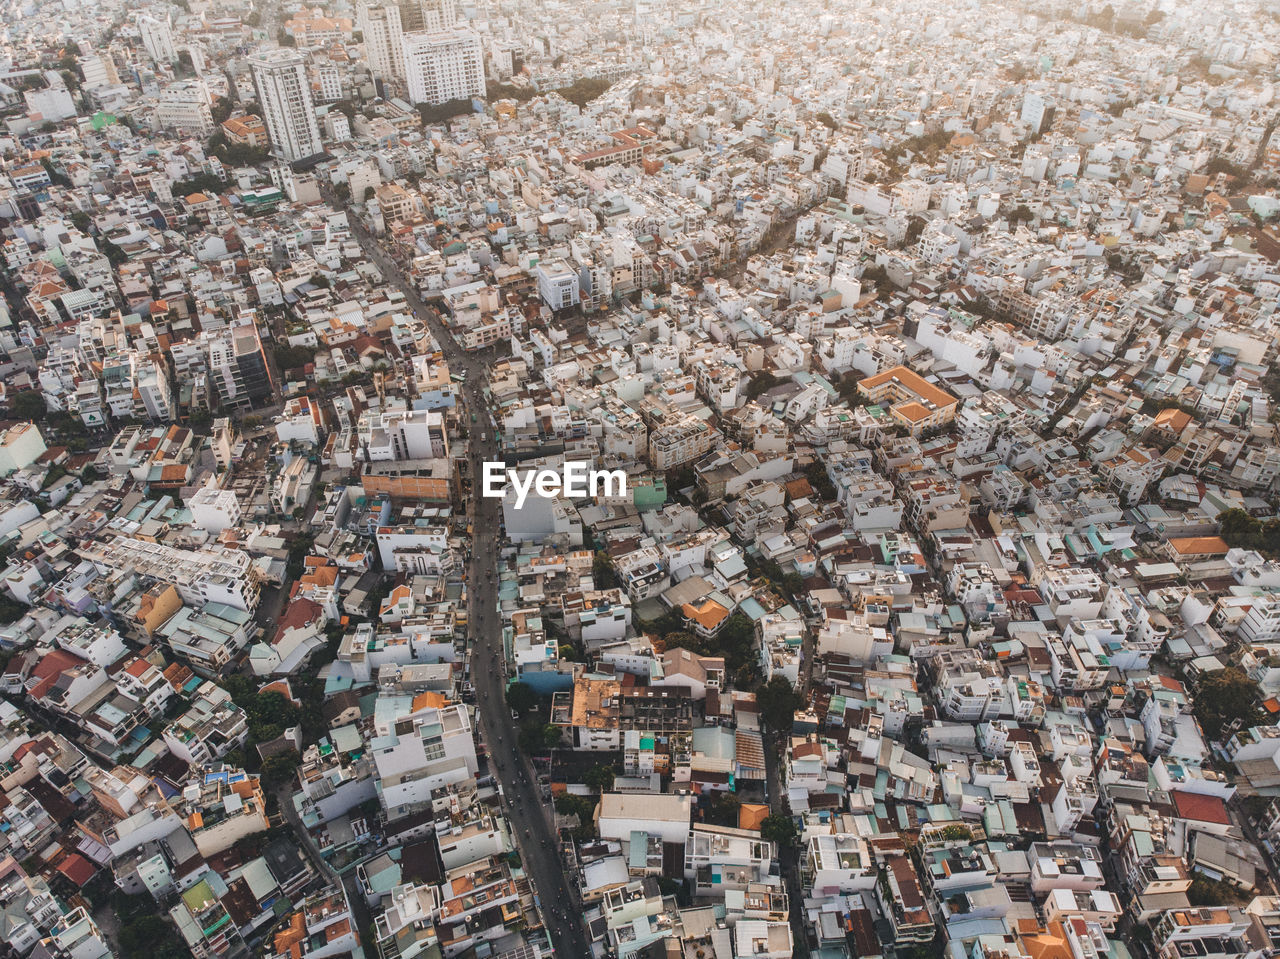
<point x="531" y="825"/>
